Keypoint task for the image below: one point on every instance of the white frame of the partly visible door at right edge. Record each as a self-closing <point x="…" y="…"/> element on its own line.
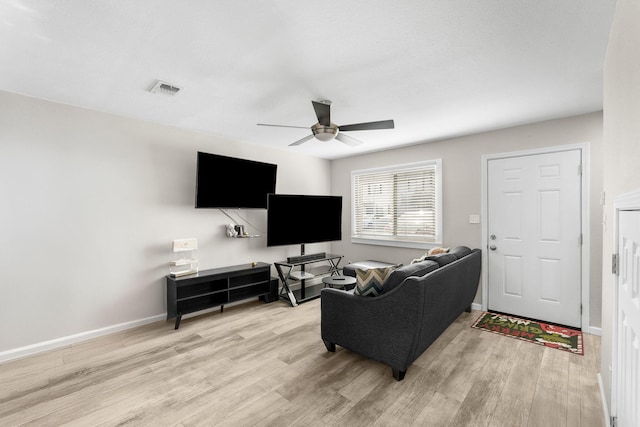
<point x="624" y="202"/>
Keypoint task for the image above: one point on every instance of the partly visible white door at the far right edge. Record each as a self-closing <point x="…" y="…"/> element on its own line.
<point x="627" y="377"/>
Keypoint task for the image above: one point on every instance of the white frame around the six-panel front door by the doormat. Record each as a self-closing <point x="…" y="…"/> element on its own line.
<point x="585" y="221"/>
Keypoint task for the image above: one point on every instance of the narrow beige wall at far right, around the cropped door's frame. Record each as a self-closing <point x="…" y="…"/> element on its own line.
<point x="622" y="147"/>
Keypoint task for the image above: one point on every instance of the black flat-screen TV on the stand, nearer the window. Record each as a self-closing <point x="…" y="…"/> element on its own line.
<point x="299" y="219"/>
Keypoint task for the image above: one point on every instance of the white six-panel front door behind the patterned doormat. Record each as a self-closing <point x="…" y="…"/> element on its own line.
<point x="534" y="227"/>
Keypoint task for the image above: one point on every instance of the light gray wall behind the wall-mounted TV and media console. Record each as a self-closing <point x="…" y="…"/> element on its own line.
<point x="90" y="205"/>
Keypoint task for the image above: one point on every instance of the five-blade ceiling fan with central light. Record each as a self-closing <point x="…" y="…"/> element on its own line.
<point x="325" y="130"/>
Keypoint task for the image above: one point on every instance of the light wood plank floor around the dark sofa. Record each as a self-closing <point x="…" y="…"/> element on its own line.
<point x="265" y="365"/>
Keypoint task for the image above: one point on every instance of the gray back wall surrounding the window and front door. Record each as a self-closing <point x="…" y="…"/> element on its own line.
<point x="461" y="163"/>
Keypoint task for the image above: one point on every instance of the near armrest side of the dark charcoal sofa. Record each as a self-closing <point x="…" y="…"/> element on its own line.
<point x="383" y="328"/>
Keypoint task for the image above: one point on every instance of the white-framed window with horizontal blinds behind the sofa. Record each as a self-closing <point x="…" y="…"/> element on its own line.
<point x="398" y="205"/>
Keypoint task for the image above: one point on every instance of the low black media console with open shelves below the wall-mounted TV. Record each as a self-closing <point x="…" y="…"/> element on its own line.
<point x="217" y="287"/>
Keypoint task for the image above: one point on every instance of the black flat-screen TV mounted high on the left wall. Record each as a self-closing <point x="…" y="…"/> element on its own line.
<point x="230" y="182"/>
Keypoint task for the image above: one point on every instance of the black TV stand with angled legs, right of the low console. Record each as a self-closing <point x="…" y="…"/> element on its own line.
<point x="299" y="272"/>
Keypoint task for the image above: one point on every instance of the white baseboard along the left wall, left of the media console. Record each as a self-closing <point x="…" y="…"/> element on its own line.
<point x="30" y="350"/>
